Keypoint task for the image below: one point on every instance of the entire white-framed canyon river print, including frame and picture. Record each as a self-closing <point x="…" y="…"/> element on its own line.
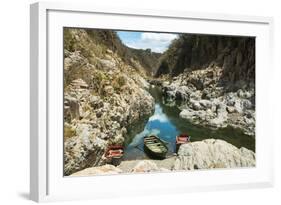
<point x="128" y="102"/>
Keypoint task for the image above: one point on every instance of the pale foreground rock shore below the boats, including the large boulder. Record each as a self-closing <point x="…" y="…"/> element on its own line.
<point x="206" y="154"/>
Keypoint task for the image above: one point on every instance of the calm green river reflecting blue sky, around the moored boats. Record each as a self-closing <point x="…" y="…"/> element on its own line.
<point x="166" y="123"/>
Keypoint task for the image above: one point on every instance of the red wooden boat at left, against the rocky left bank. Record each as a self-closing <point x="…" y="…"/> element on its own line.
<point x="114" y="154"/>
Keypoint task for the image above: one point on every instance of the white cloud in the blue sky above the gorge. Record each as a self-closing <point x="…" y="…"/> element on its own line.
<point x="157" y="42"/>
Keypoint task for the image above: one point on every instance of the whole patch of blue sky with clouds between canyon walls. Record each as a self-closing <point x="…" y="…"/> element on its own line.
<point x="157" y="42"/>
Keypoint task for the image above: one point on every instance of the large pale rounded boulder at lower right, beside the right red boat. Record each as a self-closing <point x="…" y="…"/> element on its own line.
<point x="211" y="153"/>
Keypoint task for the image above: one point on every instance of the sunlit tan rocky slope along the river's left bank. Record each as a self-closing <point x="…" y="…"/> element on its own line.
<point x="103" y="97"/>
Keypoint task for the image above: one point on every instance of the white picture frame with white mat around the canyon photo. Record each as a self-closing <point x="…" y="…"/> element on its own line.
<point x="46" y="137"/>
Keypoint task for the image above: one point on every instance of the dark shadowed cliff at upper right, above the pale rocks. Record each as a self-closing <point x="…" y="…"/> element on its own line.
<point x="235" y="55"/>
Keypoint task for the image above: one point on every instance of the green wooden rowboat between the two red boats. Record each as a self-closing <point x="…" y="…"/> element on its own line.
<point x="155" y="147"/>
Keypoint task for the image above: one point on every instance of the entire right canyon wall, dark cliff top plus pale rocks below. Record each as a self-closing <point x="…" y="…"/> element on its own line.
<point x="212" y="78"/>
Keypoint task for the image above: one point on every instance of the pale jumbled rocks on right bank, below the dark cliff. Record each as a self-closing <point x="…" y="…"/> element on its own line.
<point x="206" y="99"/>
